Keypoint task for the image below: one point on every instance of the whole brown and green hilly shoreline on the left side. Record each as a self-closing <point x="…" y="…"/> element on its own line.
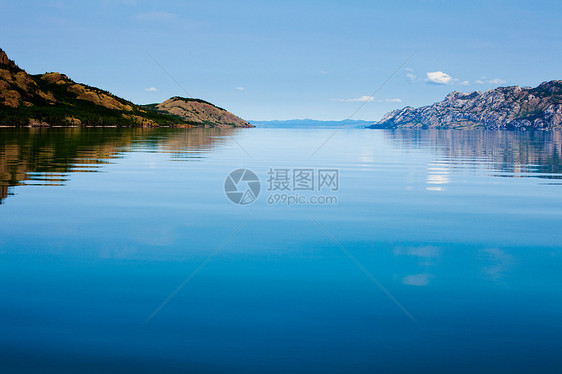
<point x="53" y="99"/>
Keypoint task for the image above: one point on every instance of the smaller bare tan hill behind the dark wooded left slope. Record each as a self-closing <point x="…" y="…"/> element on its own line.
<point x="200" y="112"/>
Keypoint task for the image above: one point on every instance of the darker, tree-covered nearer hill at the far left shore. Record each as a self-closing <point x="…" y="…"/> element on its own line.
<point x="55" y="100"/>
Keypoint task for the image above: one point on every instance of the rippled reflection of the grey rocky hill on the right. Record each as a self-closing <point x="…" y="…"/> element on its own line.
<point x="505" y="153"/>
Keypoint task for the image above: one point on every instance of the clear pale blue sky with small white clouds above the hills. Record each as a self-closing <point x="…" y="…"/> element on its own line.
<point x="267" y="60"/>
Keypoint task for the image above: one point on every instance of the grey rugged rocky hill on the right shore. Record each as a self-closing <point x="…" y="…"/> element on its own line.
<point x="501" y="108"/>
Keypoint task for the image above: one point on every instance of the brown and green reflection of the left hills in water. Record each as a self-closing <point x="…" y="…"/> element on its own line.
<point x="31" y="156"/>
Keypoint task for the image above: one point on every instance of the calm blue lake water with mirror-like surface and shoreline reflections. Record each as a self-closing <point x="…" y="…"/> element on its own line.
<point x="119" y="252"/>
